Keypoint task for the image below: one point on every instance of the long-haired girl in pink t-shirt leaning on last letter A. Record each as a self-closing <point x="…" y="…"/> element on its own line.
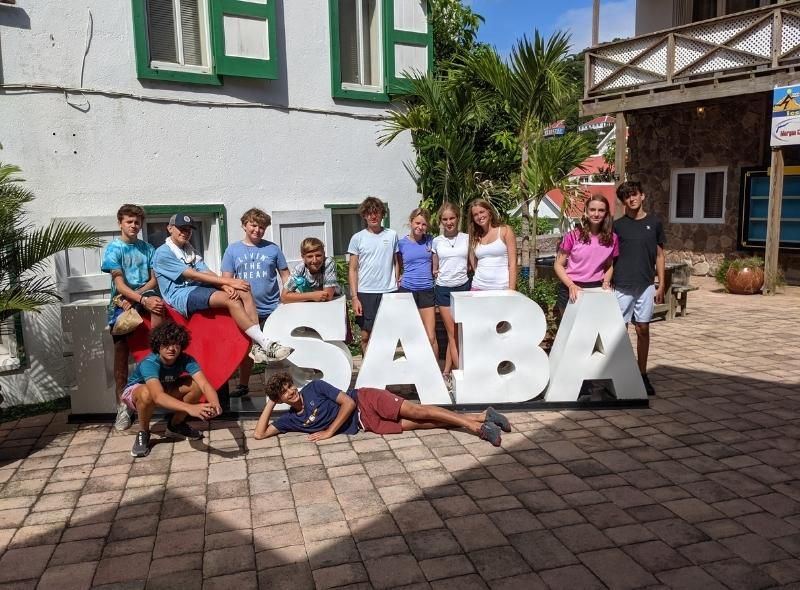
<point x="586" y="254"/>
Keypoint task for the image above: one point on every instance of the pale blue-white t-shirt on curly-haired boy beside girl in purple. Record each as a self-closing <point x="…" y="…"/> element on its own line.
<point x="375" y="260"/>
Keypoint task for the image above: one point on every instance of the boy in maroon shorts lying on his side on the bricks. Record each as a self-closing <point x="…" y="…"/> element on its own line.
<point x="323" y="411"/>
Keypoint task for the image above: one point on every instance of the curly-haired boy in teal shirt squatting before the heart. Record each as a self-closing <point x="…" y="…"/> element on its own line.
<point x="159" y="381"/>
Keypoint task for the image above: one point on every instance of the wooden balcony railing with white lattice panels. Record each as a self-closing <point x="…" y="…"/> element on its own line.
<point x="755" y="43"/>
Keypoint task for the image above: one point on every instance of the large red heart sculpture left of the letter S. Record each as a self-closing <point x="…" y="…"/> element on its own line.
<point x="217" y="342"/>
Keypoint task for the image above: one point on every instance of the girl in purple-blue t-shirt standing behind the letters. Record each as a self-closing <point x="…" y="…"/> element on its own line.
<point x="415" y="255"/>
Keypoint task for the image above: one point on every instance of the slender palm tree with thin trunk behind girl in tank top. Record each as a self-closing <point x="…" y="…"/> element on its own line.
<point x="533" y="84"/>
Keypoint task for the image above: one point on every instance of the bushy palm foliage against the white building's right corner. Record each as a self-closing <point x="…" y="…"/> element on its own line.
<point x="443" y="116"/>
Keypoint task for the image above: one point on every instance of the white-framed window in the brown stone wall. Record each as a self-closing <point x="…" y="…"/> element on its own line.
<point x="698" y="195"/>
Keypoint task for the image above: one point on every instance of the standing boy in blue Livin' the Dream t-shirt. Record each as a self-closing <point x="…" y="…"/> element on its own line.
<point x="259" y="262"/>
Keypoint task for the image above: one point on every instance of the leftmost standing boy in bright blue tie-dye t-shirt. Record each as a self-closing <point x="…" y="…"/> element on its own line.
<point x="129" y="260"/>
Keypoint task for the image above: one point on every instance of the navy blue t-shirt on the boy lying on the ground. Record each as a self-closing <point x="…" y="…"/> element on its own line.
<point x="319" y="411"/>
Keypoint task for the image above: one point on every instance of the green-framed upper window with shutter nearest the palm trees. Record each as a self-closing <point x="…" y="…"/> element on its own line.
<point x="376" y="44"/>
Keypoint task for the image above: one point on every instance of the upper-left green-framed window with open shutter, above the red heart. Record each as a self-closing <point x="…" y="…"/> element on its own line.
<point x="199" y="40"/>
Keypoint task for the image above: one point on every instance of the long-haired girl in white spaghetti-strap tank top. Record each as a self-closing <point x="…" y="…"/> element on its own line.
<point x="494" y="261"/>
